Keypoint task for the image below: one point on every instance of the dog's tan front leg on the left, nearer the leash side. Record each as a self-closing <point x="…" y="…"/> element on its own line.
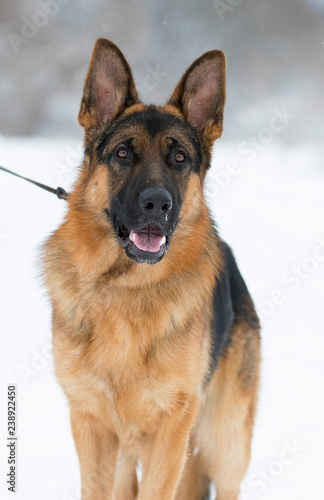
<point x="97" y="449"/>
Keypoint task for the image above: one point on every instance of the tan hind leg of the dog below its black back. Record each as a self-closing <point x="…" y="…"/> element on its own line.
<point x="224" y="430"/>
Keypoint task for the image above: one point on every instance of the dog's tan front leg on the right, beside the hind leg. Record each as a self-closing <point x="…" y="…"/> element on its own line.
<point x="164" y="453"/>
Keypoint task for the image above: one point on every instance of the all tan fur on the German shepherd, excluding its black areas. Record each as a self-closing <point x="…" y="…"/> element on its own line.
<point x="132" y="343"/>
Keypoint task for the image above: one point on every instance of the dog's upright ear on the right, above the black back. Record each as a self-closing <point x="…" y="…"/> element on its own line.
<point x="200" y="94"/>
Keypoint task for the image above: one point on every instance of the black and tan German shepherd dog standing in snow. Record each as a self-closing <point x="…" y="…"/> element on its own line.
<point x="155" y="338"/>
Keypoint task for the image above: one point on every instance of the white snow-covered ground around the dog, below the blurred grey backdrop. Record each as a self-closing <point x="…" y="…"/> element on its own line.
<point x="269" y="206"/>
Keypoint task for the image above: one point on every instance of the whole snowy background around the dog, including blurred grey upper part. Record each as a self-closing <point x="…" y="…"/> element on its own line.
<point x="265" y="190"/>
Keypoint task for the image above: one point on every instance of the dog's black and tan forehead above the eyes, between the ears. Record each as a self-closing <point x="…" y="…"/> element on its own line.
<point x="149" y="125"/>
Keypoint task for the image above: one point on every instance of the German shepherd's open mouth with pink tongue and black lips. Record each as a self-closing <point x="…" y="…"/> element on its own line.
<point x="147" y="244"/>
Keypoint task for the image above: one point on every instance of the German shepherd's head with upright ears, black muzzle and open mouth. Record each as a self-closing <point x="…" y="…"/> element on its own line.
<point x="146" y="164"/>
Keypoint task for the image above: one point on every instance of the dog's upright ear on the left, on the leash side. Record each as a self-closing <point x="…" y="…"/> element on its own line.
<point x="109" y="87"/>
